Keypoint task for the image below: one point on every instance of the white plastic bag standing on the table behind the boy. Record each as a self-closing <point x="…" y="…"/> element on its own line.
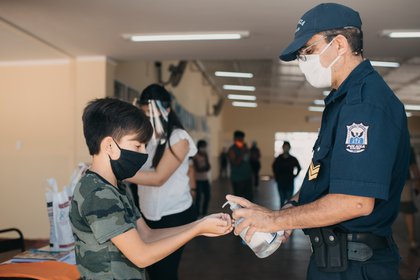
<point x="58" y="205"/>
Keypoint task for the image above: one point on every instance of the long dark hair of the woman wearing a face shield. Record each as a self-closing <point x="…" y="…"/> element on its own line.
<point x="158" y="92"/>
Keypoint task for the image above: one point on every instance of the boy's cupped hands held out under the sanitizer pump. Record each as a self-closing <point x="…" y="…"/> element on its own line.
<point x="215" y="225"/>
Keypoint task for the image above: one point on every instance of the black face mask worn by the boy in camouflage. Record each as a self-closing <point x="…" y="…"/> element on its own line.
<point x="127" y="165"/>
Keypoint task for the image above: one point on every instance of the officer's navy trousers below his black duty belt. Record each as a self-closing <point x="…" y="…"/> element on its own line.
<point x="384" y="265"/>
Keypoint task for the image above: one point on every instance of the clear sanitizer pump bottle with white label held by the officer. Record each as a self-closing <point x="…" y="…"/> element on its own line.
<point x="262" y="243"/>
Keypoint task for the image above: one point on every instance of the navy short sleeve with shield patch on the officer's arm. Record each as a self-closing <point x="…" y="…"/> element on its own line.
<point x="364" y="152"/>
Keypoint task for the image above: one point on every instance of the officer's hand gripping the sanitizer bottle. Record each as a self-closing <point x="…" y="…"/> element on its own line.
<point x="256" y="217"/>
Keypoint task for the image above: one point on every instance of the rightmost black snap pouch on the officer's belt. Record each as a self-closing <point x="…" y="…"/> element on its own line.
<point x="336" y="244"/>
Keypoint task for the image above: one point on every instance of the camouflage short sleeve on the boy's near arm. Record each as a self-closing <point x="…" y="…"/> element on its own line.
<point x="106" y="215"/>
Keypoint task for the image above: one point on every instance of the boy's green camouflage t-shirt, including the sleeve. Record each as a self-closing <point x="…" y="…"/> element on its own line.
<point x="99" y="212"/>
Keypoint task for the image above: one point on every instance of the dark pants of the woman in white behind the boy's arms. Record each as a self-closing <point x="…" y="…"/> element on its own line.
<point x="167" y="268"/>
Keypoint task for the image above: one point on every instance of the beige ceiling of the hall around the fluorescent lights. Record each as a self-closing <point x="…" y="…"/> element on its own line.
<point x="62" y="29"/>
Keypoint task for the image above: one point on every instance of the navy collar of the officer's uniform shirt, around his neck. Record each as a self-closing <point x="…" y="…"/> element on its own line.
<point x="355" y="77"/>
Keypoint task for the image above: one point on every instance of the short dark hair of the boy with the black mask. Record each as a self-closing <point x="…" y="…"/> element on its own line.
<point x="112" y="117"/>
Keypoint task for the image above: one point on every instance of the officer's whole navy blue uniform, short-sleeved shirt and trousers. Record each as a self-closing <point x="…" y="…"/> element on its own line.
<point x="362" y="149"/>
